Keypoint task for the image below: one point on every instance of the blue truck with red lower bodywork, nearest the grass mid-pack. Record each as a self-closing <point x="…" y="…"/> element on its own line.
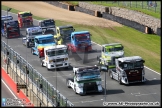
<point x="80" y="42"/>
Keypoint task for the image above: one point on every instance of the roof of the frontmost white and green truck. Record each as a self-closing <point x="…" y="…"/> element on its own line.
<point x="85" y="69"/>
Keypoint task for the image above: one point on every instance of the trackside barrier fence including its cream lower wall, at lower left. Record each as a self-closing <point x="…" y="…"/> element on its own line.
<point x="36" y="82"/>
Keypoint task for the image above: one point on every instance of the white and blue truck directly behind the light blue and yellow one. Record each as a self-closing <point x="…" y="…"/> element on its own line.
<point x="31" y="32"/>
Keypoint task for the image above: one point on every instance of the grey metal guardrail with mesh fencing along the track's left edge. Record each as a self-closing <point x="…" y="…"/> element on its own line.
<point x="53" y="96"/>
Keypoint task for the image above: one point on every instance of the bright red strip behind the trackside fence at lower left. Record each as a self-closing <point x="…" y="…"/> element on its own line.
<point x="12" y="85"/>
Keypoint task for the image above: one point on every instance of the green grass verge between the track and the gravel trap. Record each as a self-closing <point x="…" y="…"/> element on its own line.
<point x="135" y="42"/>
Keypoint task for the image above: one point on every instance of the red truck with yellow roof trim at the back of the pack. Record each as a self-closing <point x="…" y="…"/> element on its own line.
<point x="25" y="19"/>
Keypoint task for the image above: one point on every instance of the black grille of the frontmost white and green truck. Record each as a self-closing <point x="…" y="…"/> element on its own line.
<point x="90" y="87"/>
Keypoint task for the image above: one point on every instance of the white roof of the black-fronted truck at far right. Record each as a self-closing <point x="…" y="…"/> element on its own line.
<point x="131" y="58"/>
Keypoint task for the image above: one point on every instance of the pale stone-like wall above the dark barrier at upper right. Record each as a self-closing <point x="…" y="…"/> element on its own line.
<point x="131" y="15"/>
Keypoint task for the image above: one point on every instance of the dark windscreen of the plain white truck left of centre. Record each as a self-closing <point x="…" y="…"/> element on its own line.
<point x="56" y="53"/>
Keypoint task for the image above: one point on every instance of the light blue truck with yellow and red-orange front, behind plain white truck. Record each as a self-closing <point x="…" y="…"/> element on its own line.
<point x="41" y="42"/>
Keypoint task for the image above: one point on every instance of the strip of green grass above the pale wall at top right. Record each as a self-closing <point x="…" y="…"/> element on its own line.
<point x="145" y="9"/>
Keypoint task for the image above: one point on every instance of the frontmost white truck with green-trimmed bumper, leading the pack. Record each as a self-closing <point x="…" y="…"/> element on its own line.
<point x="85" y="80"/>
